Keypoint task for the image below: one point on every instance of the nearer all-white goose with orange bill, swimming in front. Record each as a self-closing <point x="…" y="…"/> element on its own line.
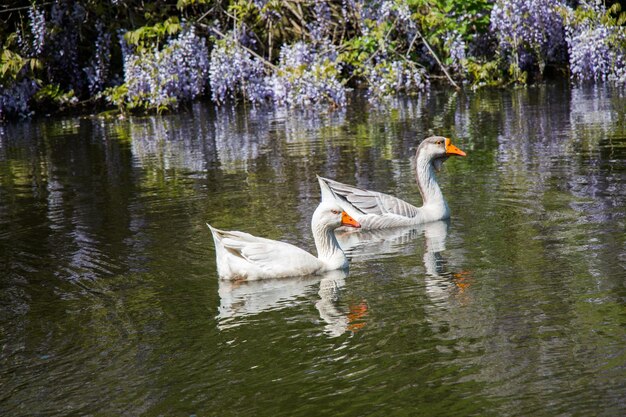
<point x="240" y="255"/>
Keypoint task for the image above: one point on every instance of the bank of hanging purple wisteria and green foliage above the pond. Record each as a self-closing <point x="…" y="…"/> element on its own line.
<point x="132" y="56"/>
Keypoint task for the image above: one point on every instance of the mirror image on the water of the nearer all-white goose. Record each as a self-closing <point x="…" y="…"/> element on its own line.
<point x="240" y="299"/>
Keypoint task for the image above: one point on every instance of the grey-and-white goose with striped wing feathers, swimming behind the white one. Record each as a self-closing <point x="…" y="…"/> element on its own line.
<point x="374" y="210"/>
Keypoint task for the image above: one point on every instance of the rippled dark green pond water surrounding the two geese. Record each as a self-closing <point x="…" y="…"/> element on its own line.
<point x="110" y="302"/>
